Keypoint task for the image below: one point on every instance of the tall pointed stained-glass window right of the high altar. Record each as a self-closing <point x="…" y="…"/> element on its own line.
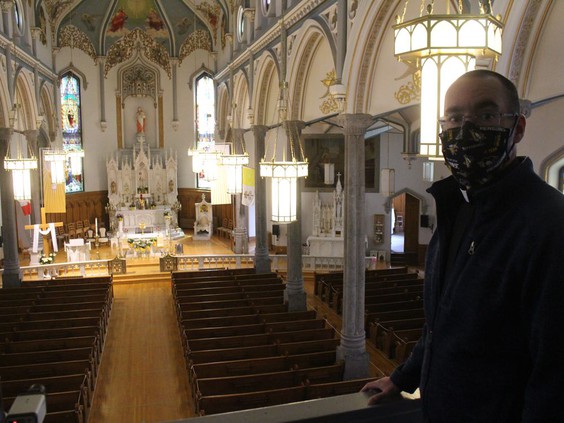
<point x="205" y="117"/>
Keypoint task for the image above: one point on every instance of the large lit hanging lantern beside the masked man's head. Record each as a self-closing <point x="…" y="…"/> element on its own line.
<point x="444" y="46"/>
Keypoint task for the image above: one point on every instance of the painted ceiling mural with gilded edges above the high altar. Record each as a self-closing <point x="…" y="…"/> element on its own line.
<point x="112" y="28"/>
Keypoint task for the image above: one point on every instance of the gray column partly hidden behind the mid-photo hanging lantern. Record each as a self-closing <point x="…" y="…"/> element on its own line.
<point x="295" y="291"/>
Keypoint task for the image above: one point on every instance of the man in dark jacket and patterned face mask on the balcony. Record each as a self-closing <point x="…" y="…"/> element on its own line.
<point x="493" y="344"/>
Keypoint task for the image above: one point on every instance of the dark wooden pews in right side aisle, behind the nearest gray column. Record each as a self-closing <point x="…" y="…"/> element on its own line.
<point x="393" y="307"/>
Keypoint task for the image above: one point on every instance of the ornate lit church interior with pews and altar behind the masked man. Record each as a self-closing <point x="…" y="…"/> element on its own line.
<point x="150" y="145"/>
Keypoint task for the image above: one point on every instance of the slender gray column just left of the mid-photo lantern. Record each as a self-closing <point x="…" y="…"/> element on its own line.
<point x="262" y="261"/>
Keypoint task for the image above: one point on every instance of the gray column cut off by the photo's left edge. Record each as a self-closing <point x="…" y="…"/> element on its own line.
<point x="11" y="275"/>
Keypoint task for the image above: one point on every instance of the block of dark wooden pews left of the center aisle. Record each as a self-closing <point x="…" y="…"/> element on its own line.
<point x="52" y="333"/>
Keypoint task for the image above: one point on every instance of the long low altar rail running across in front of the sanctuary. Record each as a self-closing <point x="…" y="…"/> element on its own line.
<point x="183" y="262"/>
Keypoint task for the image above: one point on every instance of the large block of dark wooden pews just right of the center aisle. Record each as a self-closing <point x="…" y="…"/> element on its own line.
<point x="244" y="349"/>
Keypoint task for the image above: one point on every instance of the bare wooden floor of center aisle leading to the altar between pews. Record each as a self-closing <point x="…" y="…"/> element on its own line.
<point x="143" y="376"/>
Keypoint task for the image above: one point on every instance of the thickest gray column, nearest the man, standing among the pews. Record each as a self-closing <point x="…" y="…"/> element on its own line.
<point x="353" y="338"/>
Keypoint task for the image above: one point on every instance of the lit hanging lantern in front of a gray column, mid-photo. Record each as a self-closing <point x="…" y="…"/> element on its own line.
<point x="284" y="174"/>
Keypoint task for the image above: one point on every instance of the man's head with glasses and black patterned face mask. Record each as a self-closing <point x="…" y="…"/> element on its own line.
<point x="481" y="125"/>
